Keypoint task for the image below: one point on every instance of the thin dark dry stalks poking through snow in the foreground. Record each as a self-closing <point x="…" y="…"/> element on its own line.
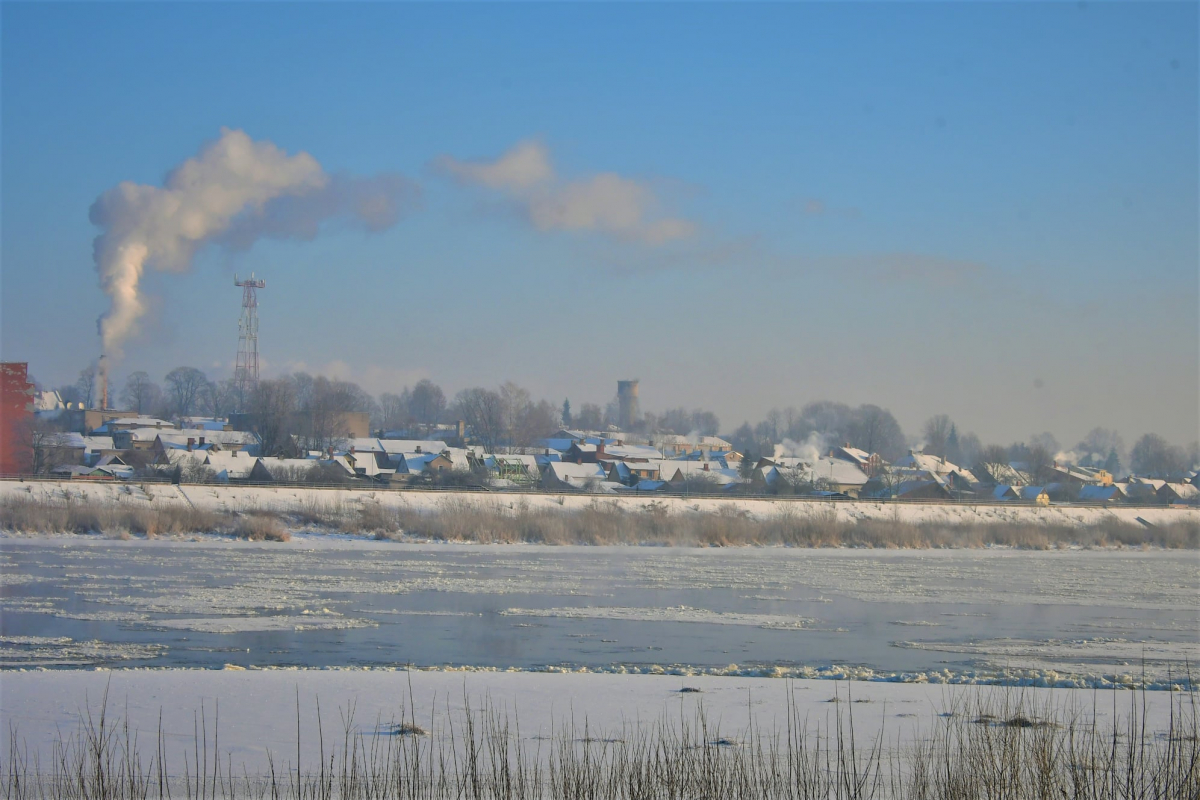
<point x="987" y="745"/>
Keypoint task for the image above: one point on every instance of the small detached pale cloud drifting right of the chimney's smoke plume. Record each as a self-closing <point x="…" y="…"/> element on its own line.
<point x="607" y="203"/>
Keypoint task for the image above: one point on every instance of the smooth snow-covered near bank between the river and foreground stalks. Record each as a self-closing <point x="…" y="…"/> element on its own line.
<point x="256" y="712"/>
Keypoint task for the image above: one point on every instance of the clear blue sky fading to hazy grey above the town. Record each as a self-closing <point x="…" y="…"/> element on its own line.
<point x="982" y="209"/>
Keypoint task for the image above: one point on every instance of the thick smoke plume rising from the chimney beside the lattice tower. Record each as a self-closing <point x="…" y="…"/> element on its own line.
<point x="232" y="194"/>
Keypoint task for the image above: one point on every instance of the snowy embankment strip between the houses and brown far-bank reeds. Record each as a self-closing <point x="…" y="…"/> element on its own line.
<point x="291" y="500"/>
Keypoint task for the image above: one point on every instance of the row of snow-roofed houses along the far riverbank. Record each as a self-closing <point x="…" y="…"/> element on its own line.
<point x="587" y="461"/>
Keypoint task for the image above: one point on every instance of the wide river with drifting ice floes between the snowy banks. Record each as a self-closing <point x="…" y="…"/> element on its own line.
<point x="1072" y="616"/>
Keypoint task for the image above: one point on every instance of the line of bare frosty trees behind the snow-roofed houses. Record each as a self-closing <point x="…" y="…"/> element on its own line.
<point x="303" y="412"/>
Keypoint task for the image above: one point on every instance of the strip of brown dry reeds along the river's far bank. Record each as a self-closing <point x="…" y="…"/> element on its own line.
<point x="602" y="522"/>
